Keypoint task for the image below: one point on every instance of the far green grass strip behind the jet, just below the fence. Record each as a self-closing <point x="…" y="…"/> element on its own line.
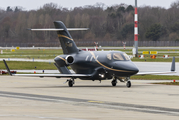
<point x="52" y="53"/>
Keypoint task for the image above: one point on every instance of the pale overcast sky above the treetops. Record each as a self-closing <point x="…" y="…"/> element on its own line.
<point x="35" y="4"/>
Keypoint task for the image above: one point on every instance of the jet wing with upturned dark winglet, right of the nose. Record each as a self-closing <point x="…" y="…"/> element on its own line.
<point x="160" y="72"/>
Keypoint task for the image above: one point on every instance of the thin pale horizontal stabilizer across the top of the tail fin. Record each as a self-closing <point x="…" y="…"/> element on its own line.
<point x="54" y="29"/>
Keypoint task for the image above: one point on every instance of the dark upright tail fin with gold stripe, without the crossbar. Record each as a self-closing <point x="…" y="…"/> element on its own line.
<point x="66" y="41"/>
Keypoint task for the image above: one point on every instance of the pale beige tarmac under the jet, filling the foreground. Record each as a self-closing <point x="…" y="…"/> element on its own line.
<point x="31" y="98"/>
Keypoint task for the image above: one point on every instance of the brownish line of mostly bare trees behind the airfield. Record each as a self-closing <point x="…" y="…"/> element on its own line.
<point x="114" y="23"/>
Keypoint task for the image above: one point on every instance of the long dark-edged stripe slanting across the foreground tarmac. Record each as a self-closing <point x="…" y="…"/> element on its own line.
<point x="103" y="104"/>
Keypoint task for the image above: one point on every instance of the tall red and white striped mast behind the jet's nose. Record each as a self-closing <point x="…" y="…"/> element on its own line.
<point x="136" y="29"/>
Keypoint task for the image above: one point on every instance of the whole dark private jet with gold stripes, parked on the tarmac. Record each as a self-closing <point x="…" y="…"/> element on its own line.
<point x="90" y="65"/>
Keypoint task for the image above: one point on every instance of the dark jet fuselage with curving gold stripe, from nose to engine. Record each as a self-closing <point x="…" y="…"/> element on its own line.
<point x="106" y="63"/>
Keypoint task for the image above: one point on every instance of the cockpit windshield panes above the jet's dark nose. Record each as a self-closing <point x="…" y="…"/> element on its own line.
<point x="118" y="56"/>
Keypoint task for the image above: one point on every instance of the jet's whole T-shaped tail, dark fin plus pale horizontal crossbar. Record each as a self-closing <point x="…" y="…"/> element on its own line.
<point x="66" y="41"/>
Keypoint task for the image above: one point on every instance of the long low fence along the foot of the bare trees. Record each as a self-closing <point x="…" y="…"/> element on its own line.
<point x="100" y="43"/>
